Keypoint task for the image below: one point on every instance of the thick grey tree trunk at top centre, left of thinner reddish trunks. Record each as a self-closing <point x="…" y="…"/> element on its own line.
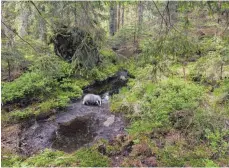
<point x="113" y="18"/>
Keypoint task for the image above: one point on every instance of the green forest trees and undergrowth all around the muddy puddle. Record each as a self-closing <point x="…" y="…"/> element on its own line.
<point x="176" y="103"/>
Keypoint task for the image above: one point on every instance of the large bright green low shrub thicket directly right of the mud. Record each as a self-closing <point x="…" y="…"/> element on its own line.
<point x="151" y="104"/>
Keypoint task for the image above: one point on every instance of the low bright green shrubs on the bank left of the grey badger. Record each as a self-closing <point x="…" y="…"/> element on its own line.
<point x="54" y="96"/>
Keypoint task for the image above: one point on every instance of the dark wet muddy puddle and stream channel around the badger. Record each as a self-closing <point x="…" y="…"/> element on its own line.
<point x="79" y="125"/>
